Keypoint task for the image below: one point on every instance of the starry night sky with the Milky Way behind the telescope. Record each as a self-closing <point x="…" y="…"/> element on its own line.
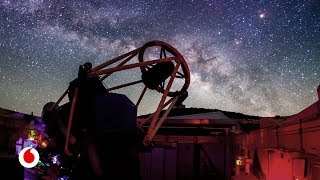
<point x="255" y="57"/>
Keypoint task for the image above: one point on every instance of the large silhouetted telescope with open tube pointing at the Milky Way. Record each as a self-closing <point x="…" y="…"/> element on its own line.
<point x="94" y="107"/>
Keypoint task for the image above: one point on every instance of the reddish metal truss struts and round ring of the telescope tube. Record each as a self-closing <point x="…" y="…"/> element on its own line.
<point x="167" y="54"/>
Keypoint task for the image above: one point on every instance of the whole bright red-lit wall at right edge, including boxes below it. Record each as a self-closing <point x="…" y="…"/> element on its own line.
<point x="288" y="148"/>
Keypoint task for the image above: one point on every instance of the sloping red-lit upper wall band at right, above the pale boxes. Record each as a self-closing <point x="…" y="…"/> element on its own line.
<point x="287" y="136"/>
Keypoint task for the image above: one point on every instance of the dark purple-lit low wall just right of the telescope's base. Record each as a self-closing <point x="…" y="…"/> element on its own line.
<point x="184" y="161"/>
